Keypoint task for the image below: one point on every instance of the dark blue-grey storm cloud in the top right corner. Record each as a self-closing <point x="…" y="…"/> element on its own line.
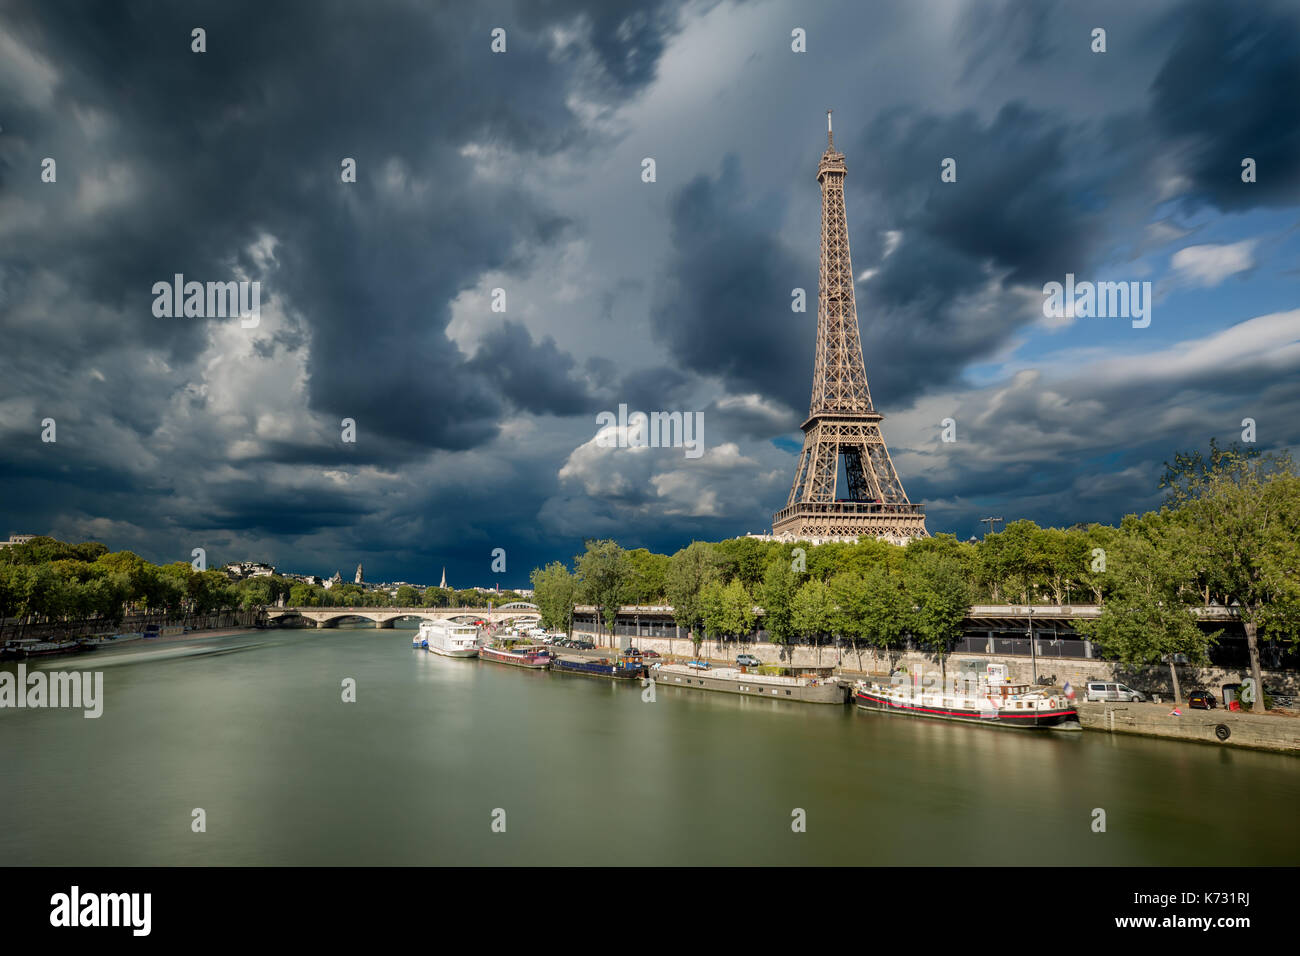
<point x="1230" y="89"/>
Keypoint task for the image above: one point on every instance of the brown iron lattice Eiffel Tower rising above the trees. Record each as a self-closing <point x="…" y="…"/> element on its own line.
<point x="842" y="421"/>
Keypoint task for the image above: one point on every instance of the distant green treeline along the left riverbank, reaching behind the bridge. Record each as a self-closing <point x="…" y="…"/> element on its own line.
<point x="46" y="581"/>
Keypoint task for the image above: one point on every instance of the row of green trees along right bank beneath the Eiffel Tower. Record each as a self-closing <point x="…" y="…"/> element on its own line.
<point x="1229" y="534"/>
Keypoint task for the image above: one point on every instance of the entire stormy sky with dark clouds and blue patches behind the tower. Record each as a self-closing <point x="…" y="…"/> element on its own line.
<point x="523" y="171"/>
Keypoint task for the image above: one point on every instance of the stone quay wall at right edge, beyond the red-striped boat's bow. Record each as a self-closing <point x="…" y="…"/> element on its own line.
<point x="1219" y="728"/>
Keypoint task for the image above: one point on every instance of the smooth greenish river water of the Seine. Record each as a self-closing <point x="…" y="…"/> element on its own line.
<point x="448" y="762"/>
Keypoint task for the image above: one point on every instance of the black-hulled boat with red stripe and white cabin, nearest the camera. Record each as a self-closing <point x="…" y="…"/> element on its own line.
<point x="994" y="702"/>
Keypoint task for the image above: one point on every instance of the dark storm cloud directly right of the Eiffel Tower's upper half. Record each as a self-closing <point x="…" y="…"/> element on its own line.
<point x="1024" y="210"/>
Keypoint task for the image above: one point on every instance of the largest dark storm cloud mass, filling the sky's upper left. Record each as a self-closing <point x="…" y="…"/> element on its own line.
<point x="215" y="152"/>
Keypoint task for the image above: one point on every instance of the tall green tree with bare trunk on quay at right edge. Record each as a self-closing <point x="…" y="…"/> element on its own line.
<point x="1243" y="512"/>
